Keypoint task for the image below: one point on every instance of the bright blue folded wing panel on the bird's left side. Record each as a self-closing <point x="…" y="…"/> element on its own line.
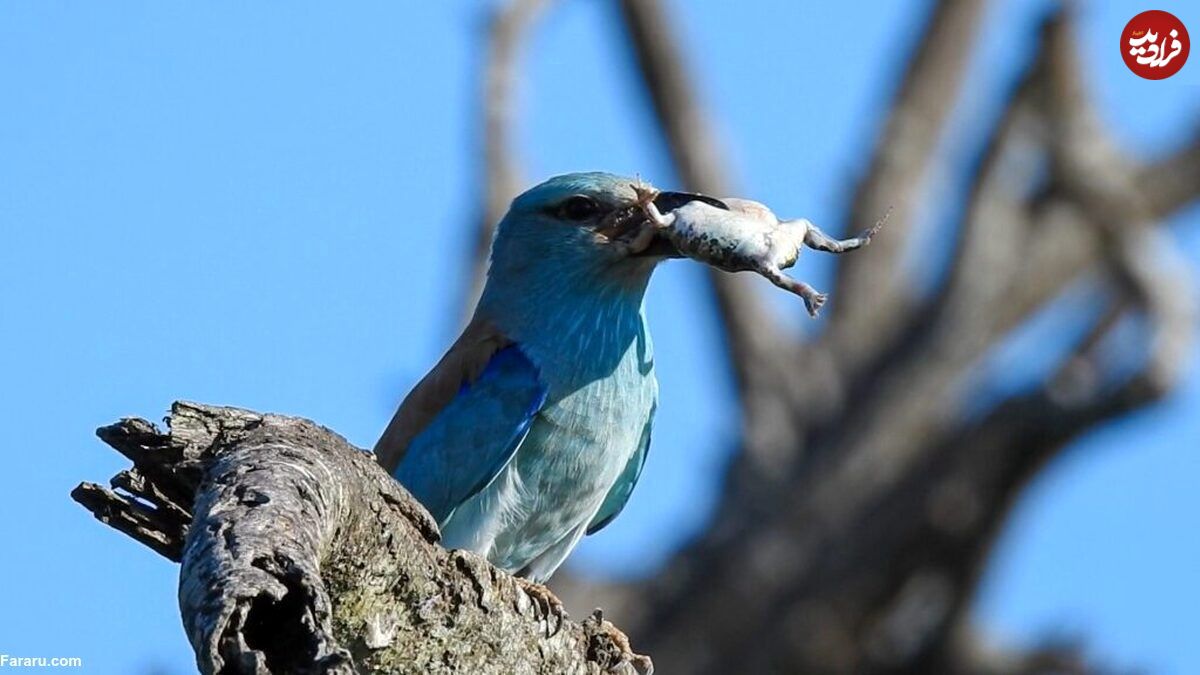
<point x="473" y="438"/>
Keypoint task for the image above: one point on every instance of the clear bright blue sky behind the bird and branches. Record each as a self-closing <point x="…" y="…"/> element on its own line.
<point x="266" y="207"/>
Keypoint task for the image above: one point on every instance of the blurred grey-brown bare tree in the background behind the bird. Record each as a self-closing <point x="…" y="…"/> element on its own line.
<point x="865" y="498"/>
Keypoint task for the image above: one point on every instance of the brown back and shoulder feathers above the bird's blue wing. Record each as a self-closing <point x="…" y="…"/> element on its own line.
<point x="463" y="363"/>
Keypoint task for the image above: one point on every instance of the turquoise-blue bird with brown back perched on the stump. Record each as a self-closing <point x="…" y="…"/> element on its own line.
<point x="533" y="429"/>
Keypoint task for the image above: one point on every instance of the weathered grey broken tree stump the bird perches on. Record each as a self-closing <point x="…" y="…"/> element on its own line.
<point x="301" y="555"/>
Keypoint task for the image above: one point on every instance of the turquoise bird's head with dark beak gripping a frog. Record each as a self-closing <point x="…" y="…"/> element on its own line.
<point x="583" y="223"/>
